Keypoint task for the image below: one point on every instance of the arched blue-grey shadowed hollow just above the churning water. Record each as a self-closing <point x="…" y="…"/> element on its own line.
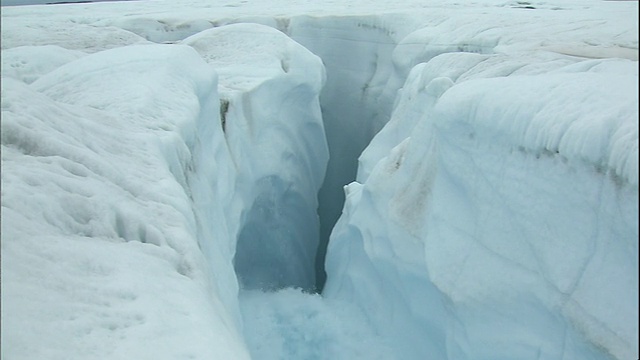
<point x="278" y="239"/>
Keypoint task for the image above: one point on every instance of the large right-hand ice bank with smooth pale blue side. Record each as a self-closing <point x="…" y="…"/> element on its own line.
<point x="499" y="206"/>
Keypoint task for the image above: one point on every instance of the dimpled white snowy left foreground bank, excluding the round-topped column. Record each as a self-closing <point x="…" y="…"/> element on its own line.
<point x="99" y="234"/>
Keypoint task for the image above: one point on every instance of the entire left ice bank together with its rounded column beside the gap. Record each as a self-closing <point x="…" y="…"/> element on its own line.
<point x="127" y="180"/>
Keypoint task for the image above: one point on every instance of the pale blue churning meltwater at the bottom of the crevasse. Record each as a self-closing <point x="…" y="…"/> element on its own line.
<point x="293" y="324"/>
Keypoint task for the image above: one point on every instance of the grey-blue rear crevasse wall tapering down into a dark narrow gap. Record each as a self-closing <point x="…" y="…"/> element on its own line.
<point x="357" y="54"/>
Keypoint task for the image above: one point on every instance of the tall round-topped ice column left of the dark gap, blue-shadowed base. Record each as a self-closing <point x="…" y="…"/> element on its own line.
<point x="272" y="123"/>
